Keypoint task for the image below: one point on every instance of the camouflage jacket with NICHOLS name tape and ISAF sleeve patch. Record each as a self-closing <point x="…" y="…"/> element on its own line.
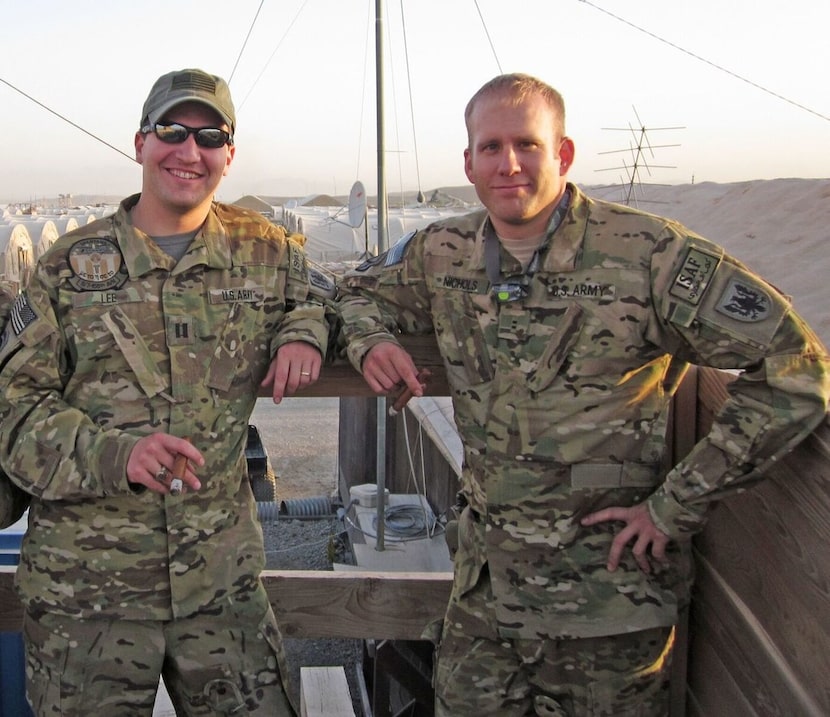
<point x="561" y="398"/>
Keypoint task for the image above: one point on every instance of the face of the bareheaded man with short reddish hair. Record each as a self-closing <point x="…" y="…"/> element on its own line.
<point x="517" y="159"/>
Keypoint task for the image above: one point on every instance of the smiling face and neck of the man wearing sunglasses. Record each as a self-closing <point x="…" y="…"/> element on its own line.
<point x="179" y="180"/>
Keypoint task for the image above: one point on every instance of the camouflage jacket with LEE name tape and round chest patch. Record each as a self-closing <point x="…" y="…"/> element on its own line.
<point x="113" y="340"/>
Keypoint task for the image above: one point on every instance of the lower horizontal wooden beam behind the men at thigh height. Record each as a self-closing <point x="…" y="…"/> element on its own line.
<point x="318" y="603"/>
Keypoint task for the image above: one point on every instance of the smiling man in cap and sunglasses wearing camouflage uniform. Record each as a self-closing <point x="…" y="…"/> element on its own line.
<point x="142" y="337"/>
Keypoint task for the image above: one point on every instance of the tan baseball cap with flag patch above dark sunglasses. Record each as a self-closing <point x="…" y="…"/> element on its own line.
<point x="190" y="85"/>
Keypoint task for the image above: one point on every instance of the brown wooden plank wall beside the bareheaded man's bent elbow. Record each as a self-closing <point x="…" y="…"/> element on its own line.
<point x="759" y="628"/>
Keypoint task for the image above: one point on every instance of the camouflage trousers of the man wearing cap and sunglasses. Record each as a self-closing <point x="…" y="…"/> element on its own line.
<point x="230" y="661"/>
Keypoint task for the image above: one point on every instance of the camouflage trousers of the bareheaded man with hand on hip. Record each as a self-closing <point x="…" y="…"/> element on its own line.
<point x="623" y="675"/>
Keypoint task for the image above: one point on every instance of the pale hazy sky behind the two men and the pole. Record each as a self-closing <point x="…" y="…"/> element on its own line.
<point x="742" y="79"/>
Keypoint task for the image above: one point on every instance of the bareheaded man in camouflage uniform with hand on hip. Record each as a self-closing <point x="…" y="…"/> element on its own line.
<point x="565" y="324"/>
